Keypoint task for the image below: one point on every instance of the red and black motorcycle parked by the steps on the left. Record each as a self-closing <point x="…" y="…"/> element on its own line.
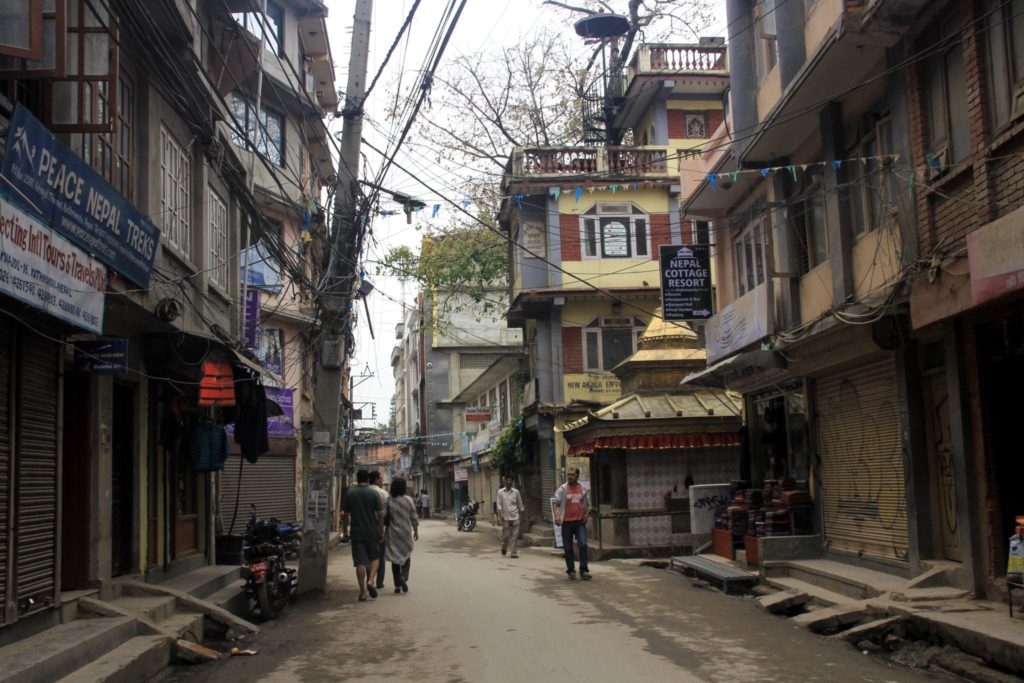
<point x="270" y="583"/>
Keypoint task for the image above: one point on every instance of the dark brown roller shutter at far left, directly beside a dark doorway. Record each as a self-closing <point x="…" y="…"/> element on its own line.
<point x="36" y="474"/>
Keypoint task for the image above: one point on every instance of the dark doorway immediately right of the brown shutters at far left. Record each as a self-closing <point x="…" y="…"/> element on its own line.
<point x="77" y="488"/>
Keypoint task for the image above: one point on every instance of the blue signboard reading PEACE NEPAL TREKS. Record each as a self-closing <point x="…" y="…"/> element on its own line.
<point x="76" y="202"/>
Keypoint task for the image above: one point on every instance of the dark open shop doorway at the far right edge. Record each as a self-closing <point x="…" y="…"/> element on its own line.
<point x="1003" y="345"/>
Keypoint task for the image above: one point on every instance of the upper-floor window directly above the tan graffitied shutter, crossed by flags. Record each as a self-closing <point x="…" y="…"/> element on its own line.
<point x="872" y="186"/>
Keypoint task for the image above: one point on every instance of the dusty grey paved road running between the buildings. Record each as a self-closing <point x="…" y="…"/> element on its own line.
<point x="475" y="616"/>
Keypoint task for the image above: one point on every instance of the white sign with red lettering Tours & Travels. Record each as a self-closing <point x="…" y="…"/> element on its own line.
<point x="42" y="270"/>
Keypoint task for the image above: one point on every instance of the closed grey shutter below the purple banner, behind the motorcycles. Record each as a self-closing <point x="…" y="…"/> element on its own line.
<point x="270" y="484"/>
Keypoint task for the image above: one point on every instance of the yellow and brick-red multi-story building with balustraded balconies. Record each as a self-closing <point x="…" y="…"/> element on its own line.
<point x="586" y="225"/>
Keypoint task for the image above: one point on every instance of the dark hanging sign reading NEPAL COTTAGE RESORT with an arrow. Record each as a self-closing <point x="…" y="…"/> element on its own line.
<point x="687" y="293"/>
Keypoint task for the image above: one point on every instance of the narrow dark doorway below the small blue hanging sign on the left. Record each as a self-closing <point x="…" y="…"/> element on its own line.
<point x="122" y="482"/>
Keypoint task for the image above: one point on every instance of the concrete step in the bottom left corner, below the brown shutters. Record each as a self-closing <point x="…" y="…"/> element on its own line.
<point x="56" y="653"/>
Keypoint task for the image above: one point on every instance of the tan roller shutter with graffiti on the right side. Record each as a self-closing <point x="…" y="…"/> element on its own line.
<point x="858" y="429"/>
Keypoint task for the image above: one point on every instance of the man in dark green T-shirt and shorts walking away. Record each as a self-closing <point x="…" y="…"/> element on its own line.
<point x="364" y="526"/>
